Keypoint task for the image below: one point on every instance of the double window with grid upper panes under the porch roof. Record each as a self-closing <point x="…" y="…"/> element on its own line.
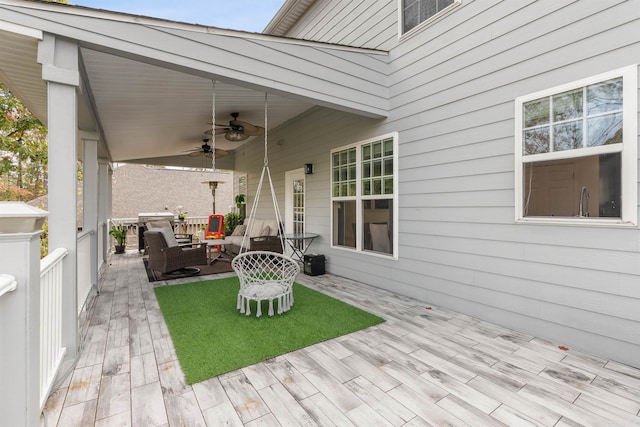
<point x="364" y="192"/>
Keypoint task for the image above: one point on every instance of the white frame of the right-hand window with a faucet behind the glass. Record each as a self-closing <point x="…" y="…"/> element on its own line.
<point x="629" y="174"/>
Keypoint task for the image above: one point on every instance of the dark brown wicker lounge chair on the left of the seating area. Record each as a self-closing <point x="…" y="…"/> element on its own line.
<point x="168" y="258"/>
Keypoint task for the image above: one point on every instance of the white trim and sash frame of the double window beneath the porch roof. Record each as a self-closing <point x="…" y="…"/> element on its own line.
<point x="358" y="197"/>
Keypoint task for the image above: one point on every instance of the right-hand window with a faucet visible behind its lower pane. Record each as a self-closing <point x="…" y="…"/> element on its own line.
<point x="576" y="150"/>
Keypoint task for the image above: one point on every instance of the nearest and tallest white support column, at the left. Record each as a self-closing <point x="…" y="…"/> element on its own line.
<point x="59" y="59"/>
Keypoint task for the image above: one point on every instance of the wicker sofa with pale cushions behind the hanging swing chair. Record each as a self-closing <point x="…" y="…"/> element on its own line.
<point x="262" y="235"/>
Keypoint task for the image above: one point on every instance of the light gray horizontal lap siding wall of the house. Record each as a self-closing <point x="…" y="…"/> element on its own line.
<point x="452" y="91"/>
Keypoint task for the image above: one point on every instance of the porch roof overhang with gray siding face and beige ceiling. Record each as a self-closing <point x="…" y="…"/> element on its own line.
<point x="147" y="85"/>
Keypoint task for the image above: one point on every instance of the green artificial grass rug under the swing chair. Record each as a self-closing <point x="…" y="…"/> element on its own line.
<point x="212" y="337"/>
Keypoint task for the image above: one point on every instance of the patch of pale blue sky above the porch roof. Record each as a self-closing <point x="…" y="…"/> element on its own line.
<point x="246" y="15"/>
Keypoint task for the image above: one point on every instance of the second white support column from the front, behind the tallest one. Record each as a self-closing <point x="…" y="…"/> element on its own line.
<point x="90" y="196"/>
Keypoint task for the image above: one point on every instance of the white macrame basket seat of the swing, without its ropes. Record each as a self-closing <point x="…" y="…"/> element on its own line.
<point x="265" y="276"/>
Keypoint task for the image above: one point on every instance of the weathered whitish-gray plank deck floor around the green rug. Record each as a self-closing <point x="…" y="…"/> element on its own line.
<point x="424" y="366"/>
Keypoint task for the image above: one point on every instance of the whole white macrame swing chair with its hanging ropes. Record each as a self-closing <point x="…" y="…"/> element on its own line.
<point x="264" y="276"/>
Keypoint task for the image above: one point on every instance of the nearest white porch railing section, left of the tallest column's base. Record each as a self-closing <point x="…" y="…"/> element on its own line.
<point x="51" y="350"/>
